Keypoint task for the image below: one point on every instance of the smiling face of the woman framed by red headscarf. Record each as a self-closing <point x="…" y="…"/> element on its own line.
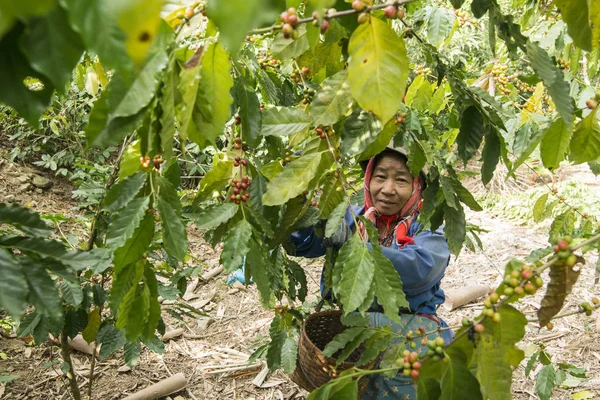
<point x="391" y="185"/>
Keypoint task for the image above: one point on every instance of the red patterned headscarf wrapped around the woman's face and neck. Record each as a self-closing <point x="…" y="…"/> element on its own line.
<point x="400" y="222"/>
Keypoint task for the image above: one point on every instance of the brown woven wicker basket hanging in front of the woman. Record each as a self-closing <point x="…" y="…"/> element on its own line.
<point x="313" y="369"/>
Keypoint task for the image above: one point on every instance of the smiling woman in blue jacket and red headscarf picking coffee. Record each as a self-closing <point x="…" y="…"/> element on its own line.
<point x="392" y="202"/>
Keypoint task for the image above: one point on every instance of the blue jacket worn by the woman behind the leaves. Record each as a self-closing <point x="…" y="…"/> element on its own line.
<point x="421" y="266"/>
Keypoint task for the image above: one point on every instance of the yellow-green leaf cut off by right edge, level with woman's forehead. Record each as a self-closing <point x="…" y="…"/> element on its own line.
<point x="585" y="144"/>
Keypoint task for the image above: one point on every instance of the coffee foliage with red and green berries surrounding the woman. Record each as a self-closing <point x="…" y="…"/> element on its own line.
<point x="288" y="97"/>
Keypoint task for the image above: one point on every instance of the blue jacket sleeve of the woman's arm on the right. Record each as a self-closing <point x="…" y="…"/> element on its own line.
<point x="422" y="265"/>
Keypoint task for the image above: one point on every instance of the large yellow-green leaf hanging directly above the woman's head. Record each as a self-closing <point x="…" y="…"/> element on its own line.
<point x="378" y="68"/>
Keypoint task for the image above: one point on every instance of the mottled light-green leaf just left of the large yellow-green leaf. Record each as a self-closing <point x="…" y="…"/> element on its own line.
<point x="333" y="101"/>
